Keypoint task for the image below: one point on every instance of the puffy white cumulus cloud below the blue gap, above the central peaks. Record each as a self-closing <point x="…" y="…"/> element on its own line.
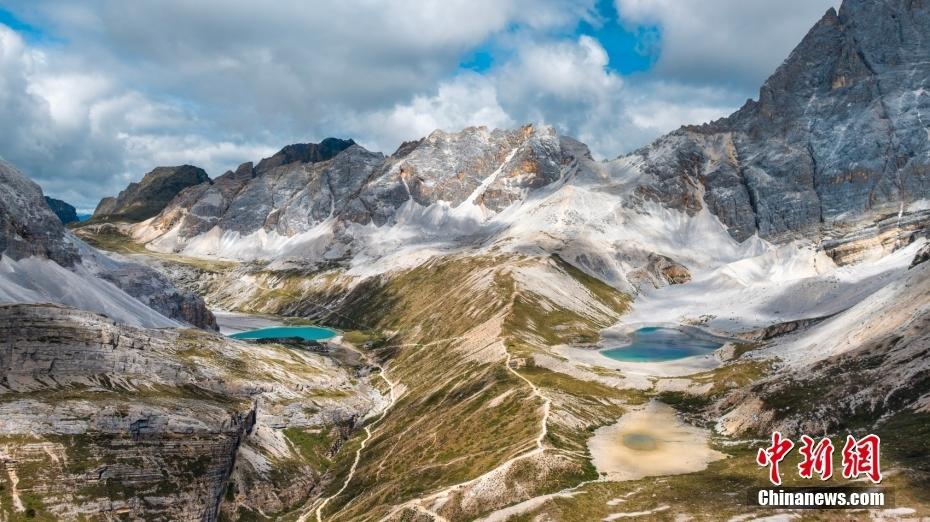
<point x="565" y="83"/>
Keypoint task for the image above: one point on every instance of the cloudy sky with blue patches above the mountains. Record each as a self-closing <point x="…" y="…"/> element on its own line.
<point x="95" y="93"/>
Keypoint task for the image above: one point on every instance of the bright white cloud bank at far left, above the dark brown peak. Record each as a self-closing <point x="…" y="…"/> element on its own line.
<point x="82" y="135"/>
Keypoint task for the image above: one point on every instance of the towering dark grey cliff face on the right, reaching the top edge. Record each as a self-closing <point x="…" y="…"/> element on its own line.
<point x="836" y="135"/>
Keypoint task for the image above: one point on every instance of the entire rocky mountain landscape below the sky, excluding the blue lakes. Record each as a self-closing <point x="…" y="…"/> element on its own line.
<point x="475" y="276"/>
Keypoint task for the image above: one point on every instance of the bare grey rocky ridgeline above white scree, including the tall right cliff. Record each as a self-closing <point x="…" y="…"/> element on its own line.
<point x="835" y="142"/>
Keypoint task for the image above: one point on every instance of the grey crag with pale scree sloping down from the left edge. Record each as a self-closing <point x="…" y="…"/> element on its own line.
<point x="49" y="264"/>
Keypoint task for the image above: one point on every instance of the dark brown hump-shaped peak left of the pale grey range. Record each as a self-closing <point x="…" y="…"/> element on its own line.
<point x="148" y="197"/>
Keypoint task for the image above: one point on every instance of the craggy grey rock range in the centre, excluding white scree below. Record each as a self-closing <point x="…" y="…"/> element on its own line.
<point x="304" y="185"/>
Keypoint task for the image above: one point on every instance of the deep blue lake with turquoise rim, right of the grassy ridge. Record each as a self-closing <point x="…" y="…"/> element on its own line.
<point x="654" y="344"/>
